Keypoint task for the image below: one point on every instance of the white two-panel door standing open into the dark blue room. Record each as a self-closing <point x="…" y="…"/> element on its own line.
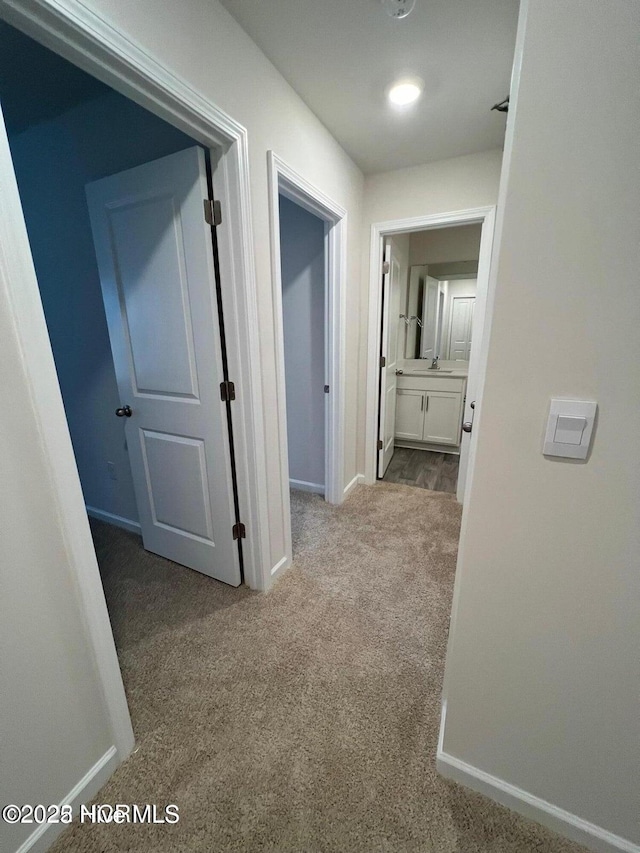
<point x="155" y="260"/>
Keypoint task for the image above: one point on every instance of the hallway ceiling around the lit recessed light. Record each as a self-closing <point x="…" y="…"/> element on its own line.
<point x="341" y="55"/>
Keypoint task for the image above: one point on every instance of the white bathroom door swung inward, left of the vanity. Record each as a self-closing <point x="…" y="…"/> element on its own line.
<point x="389" y="361"/>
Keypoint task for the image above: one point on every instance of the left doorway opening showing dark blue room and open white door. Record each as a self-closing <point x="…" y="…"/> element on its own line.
<point x="137" y="244"/>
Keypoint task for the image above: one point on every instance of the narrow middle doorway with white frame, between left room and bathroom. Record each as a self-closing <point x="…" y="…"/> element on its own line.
<point x="308" y="299"/>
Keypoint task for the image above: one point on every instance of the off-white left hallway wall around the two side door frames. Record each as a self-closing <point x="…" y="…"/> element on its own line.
<point x="202" y="43"/>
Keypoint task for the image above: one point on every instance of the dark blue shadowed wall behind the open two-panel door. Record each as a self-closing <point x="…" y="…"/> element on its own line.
<point x="53" y="162"/>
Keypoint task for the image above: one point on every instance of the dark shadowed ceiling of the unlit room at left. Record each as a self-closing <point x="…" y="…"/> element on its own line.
<point x="36" y="84"/>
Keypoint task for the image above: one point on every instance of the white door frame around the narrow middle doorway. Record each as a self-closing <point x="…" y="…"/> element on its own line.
<point x="283" y="180"/>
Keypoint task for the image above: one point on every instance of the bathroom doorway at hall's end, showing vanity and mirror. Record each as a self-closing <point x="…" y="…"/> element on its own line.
<point x="428" y="299"/>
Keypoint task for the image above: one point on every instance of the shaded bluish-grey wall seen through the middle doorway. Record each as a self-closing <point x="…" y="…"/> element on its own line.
<point x="303" y="309"/>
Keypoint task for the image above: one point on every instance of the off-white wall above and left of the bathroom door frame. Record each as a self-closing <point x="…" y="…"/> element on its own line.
<point x="442" y="187"/>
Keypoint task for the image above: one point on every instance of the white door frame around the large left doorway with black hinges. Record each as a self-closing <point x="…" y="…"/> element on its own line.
<point x="83" y="37"/>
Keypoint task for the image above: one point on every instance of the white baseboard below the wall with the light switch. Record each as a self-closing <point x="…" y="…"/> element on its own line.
<point x="560" y="821"/>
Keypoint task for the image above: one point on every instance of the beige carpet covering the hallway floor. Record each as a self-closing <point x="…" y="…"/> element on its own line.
<point x="305" y="719"/>
